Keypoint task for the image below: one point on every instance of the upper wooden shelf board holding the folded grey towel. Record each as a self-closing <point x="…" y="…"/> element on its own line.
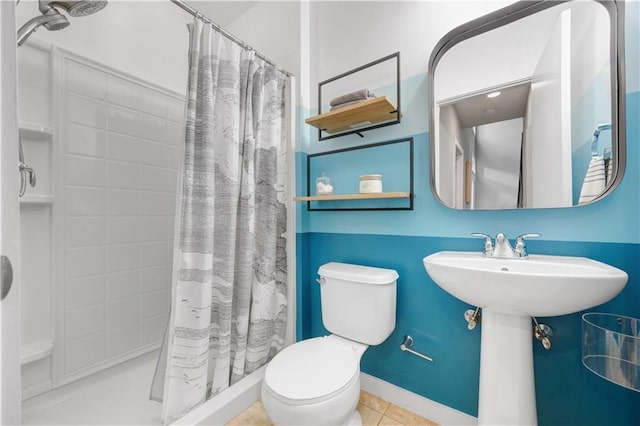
<point x="352" y="117"/>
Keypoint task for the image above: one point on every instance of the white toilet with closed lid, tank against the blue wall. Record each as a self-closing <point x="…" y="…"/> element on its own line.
<point x="317" y="381"/>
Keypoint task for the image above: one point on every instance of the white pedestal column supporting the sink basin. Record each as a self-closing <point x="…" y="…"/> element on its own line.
<point x="507" y="389"/>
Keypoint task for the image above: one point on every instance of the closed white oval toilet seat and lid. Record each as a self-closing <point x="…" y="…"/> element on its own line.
<point x="311" y="371"/>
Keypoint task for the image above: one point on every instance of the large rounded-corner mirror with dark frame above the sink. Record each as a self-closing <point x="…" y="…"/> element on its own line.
<point x="526" y="107"/>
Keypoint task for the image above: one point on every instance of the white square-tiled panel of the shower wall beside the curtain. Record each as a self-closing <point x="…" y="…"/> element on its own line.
<point x="120" y="152"/>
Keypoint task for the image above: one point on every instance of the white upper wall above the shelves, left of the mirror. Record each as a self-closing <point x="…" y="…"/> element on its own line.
<point x="347" y="37"/>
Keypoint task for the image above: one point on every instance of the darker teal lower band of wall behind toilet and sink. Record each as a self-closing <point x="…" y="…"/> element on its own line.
<point x="566" y="392"/>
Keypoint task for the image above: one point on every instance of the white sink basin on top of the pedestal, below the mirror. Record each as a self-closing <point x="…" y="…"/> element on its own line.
<point x="538" y="286"/>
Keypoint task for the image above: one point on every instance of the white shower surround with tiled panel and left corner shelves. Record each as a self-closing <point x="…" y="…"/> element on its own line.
<point x="97" y="229"/>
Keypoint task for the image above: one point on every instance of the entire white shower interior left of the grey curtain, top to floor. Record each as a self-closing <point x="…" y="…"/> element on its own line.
<point x="101" y="148"/>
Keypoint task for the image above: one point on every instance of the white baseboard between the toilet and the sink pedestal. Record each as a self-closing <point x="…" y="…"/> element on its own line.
<point x="415" y="403"/>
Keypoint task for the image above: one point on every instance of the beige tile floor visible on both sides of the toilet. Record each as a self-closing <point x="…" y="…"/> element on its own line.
<point x="373" y="410"/>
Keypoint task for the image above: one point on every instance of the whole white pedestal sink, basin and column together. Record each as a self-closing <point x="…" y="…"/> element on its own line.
<point x="510" y="292"/>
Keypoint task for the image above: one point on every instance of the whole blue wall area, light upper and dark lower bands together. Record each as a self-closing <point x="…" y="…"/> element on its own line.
<point x="608" y="230"/>
